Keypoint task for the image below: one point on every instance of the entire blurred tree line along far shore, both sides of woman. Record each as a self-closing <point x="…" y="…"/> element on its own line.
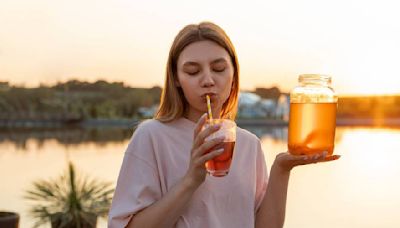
<point x="76" y="99"/>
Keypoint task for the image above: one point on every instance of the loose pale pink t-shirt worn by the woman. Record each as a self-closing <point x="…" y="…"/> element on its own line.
<point x="158" y="157"/>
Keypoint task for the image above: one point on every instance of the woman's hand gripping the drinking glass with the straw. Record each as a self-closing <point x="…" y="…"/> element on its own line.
<point x="197" y="172"/>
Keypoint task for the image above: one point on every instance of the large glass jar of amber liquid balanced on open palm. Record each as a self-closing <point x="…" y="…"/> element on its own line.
<point x="312" y="116"/>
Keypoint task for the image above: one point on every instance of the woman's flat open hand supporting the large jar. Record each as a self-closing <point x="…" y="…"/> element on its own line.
<point x="287" y="161"/>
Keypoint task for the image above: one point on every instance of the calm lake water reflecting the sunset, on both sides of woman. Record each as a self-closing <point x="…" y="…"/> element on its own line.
<point x="361" y="189"/>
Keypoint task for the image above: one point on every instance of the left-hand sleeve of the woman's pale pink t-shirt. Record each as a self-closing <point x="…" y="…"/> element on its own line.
<point x="138" y="184"/>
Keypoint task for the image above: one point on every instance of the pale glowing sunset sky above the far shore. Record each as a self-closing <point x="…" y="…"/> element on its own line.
<point x="355" y="41"/>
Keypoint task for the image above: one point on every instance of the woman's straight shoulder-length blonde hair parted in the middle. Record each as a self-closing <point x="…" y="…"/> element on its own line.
<point x="173" y="102"/>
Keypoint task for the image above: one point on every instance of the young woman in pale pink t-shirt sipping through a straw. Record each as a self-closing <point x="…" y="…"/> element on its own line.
<point x="163" y="181"/>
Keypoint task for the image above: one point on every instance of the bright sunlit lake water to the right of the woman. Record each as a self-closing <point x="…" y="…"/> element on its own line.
<point x="359" y="190"/>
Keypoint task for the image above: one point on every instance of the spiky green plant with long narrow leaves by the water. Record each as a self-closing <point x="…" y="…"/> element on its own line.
<point x="69" y="201"/>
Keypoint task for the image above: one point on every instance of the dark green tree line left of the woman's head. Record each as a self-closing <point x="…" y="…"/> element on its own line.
<point x="75" y="99"/>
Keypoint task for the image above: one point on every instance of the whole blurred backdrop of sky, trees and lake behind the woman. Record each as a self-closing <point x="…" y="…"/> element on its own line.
<point x="77" y="76"/>
